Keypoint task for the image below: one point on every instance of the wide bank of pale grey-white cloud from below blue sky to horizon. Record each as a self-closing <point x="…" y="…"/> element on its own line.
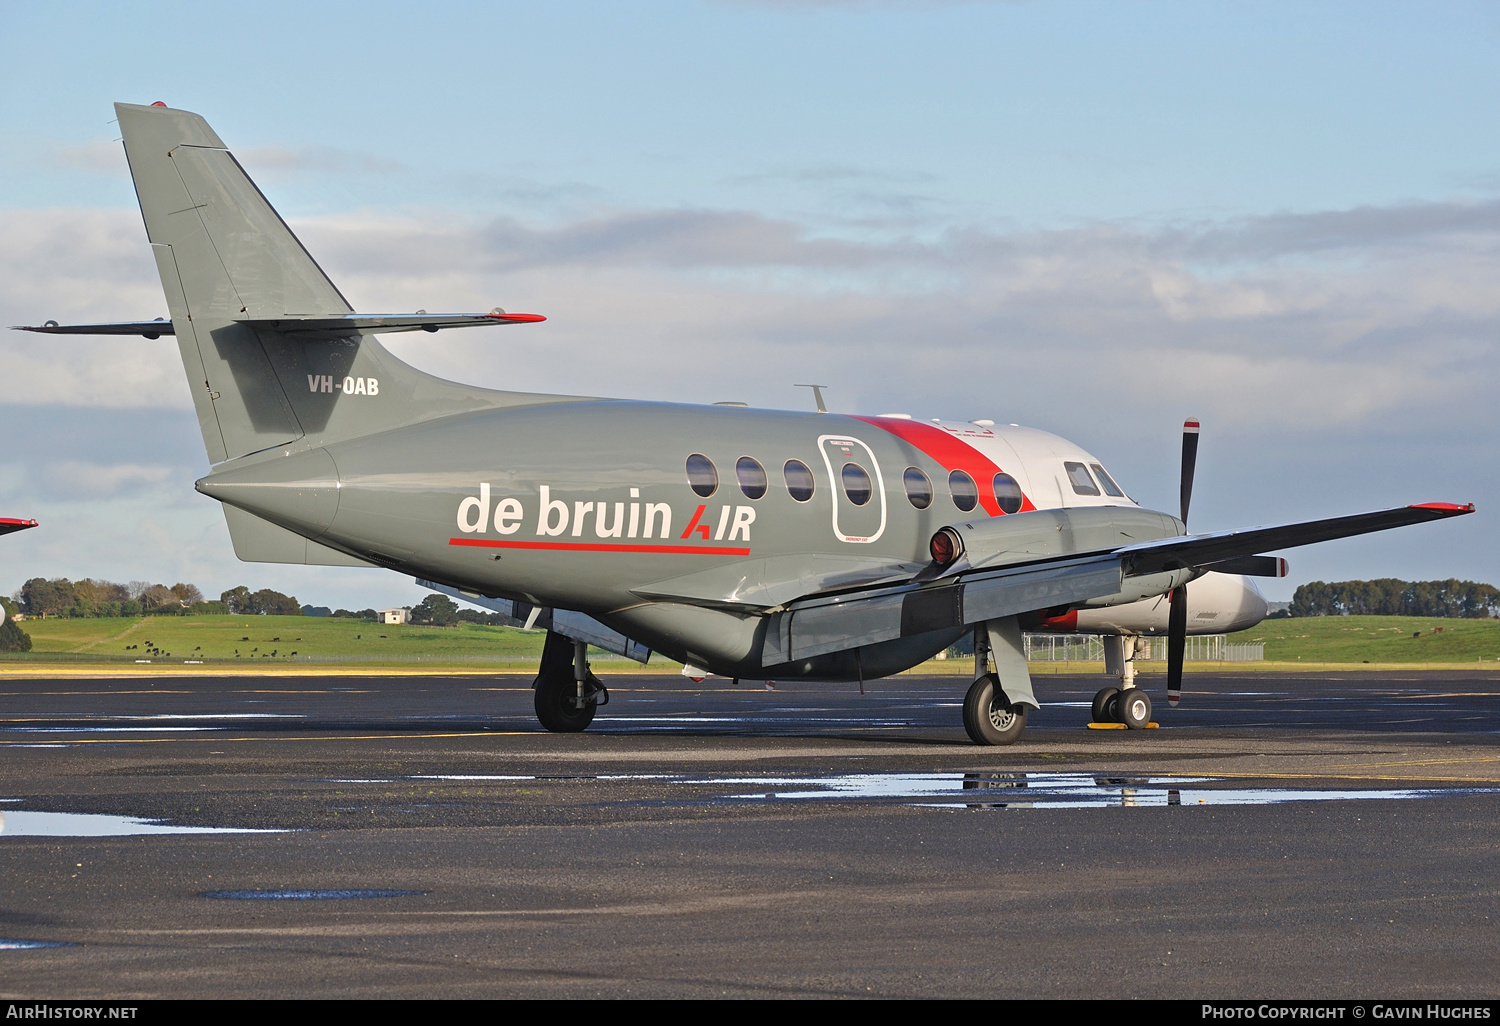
<point x="1340" y="359"/>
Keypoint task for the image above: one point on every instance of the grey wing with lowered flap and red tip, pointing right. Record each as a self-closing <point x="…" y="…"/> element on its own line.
<point x="821" y="625"/>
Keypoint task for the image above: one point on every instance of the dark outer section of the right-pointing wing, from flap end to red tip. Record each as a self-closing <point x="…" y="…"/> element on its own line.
<point x="1204" y="550"/>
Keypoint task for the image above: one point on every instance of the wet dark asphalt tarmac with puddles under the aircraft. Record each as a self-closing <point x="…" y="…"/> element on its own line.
<point x="1295" y="836"/>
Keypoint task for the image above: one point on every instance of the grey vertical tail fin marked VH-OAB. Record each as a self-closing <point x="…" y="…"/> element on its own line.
<point x="232" y="269"/>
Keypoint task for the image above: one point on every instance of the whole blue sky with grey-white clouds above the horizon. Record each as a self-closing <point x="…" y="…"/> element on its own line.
<point x="1090" y="218"/>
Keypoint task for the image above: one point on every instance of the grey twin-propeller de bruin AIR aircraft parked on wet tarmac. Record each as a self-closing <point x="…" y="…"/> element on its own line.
<point x="742" y="542"/>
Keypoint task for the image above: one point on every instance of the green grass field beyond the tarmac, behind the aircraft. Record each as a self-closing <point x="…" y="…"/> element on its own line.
<point x="311" y="643"/>
